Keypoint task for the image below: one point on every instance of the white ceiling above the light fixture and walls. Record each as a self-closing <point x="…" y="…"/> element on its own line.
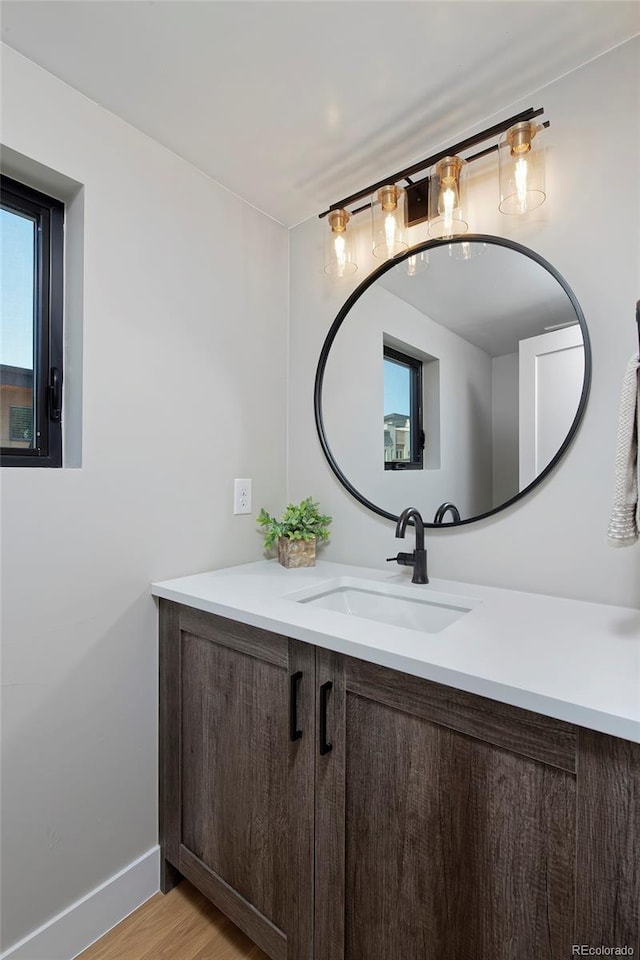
<point x="294" y="104"/>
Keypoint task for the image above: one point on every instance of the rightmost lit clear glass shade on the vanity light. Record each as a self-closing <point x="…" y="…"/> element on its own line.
<point x="521" y="158"/>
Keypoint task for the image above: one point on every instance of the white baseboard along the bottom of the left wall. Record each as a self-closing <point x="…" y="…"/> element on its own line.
<point x="85" y="921"/>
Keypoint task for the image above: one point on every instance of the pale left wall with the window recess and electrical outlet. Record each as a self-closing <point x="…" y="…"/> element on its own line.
<point x="185" y="309"/>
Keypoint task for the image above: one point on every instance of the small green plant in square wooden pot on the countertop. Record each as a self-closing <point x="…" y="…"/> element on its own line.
<point x="296" y="533"/>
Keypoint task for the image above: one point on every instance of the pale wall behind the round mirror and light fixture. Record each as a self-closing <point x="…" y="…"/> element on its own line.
<point x="554" y="541"/>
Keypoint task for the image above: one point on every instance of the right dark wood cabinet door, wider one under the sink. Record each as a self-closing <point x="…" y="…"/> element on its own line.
<point x="442" y="829"/>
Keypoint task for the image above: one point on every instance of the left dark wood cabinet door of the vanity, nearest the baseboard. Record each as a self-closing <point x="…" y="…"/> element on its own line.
<point x="237" y="775"/>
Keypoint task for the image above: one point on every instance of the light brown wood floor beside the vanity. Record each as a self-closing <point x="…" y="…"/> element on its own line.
<point x="181" y="926"/>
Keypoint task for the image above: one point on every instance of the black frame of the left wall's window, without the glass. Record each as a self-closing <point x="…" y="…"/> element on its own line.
<point x="48" y="214"/>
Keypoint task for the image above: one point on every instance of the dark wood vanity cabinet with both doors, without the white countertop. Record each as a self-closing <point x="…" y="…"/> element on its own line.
<point x="409" y="821"/>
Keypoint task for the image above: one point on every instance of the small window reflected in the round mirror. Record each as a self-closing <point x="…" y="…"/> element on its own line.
<point x="403" y="430"/>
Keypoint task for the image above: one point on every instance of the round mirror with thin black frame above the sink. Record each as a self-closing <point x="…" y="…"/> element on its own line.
<point x="452" y="380"/>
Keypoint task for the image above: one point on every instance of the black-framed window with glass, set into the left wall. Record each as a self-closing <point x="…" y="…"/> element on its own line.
<point x="31" y="346"/>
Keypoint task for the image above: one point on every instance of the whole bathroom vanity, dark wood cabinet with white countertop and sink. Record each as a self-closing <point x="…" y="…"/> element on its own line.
<point x="345" y="788"/>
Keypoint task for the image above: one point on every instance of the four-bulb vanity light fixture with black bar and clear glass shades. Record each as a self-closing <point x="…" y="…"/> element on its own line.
<point x="399" y="202"/>
